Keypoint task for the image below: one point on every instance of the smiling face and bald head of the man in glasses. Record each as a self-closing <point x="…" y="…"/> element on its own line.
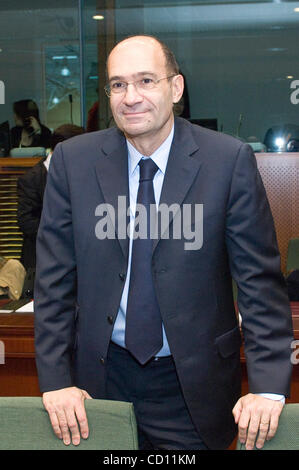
<point x="140" y="113"/>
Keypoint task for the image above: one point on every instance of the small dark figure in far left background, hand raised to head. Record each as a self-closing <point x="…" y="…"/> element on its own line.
<point x="29" y="131"/>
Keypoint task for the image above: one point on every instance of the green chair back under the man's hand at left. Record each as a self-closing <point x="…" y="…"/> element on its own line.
<point x="25" y="425"/>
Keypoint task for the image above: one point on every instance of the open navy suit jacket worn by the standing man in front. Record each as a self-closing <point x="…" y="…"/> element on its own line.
<point x="80" y="282"/>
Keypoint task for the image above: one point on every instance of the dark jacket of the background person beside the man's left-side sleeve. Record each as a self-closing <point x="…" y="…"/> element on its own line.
<point x="31" y="187"/>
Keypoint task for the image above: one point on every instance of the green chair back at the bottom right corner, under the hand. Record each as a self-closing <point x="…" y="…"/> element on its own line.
<point x="287" y="434"/>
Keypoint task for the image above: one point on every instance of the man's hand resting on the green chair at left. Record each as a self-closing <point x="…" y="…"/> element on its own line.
<point x="66" y="409"/>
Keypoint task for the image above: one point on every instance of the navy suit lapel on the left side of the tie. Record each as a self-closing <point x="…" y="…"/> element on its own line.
<point x="112" y="174"/>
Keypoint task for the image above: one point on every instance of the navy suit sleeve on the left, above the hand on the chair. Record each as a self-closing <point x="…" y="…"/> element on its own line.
<point x="55" y="285"/>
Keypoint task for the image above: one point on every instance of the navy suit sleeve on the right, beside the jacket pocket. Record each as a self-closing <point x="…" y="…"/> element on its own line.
<point x="255" y="265"/>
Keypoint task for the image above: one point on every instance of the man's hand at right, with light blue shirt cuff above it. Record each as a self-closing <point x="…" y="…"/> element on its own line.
<point x="257" y="417"/>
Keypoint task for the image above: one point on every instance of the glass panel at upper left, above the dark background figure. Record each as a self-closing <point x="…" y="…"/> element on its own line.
<point x="39" y="59"/>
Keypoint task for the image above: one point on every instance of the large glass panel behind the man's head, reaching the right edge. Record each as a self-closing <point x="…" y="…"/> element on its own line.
<point x="239" y="60"/>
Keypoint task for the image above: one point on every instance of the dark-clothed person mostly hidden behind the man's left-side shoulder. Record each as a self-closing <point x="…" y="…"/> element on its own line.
<point x="31" y="188"/>
